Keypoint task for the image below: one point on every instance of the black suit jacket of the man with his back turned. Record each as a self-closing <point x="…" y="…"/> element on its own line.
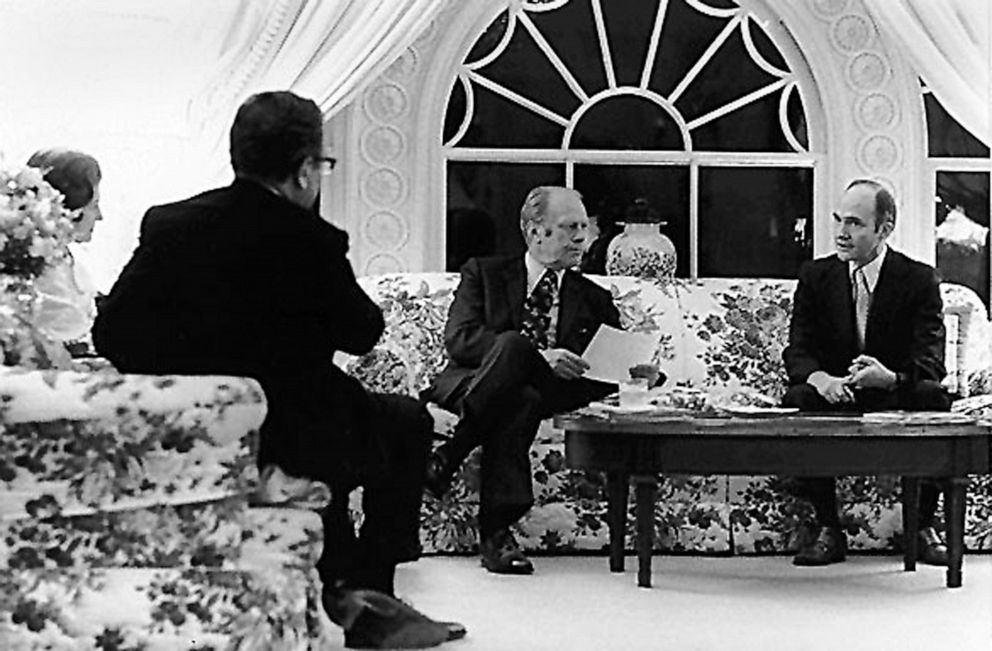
<point x="240" y="281"/>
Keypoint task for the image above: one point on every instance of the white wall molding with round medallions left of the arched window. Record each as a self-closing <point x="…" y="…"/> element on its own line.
<point x="383" y="201"/>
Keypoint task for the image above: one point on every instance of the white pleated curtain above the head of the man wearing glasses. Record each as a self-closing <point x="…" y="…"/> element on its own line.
<point x="326" y="50"/>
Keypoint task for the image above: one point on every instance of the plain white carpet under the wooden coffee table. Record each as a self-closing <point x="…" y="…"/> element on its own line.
<point x="707" y="604"/>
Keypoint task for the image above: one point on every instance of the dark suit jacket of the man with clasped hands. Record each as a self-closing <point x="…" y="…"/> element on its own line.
<point x="905" y="329"/>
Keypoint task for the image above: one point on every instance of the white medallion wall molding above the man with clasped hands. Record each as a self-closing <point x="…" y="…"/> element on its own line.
<point x="875" y="123"/>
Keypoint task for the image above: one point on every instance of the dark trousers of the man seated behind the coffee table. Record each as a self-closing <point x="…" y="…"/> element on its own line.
<point x="926" y="395"/>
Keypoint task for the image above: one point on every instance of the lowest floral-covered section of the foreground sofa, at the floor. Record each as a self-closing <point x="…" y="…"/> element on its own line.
<point x="125" y="608"/>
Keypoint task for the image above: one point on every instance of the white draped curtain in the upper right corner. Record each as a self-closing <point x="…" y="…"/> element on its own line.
<point x="947" y="42"/>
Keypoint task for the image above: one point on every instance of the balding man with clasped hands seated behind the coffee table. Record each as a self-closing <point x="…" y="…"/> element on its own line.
<point x="867" y="334"/>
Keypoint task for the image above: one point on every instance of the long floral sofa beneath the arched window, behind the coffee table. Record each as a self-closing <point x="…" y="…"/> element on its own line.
<point x="721" y="339"/>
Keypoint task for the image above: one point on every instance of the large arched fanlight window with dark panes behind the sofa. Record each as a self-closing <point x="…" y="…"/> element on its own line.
<point x="690" y="105"/>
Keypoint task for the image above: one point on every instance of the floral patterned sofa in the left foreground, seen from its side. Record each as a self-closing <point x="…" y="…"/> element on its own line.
<point x="127" y="518"/>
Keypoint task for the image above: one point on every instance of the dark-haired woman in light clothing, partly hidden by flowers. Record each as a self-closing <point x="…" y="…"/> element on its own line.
<point x="66" y="308"/>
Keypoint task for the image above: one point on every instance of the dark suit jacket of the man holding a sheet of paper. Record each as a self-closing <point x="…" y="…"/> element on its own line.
<point x="490" y="300"/>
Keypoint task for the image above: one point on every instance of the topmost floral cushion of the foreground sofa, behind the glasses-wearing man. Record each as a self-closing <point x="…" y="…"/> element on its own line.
<point x="72" y="443"/>
